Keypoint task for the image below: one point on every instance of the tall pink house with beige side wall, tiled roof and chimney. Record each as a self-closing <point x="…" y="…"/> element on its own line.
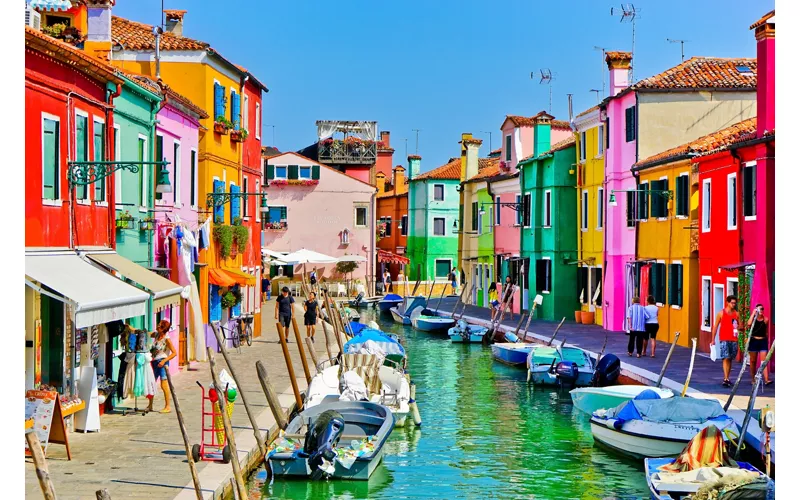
<point x="697" y="97"/>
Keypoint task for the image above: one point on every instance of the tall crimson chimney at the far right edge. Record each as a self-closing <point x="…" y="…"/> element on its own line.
<point x="765" y="75"/>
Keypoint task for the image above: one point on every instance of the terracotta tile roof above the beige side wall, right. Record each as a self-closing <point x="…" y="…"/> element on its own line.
<point x="704" y="73"/>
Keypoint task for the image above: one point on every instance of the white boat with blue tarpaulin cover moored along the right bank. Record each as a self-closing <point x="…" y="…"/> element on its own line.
<point x="650" y="427"/>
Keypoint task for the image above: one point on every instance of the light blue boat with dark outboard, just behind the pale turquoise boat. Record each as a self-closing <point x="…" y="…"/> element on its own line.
<point x="557" y="365"/>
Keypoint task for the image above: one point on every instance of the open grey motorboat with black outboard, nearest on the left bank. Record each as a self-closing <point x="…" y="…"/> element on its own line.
<point x="311" y="449"/>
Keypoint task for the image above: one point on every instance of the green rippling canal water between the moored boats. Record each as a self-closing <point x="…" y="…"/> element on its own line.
<point x="485" y="434"/>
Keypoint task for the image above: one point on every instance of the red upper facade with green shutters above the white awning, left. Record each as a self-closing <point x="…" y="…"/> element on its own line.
<point x="64" y="85"/>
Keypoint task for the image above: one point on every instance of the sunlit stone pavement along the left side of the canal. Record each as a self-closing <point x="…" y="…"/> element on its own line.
<point x="137" y="456"/>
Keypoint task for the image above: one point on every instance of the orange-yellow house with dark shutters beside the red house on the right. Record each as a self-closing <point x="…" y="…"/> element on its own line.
<point x="667" y="241"/>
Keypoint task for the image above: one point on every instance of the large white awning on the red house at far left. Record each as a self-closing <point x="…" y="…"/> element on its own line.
<point x="97" y="296"/>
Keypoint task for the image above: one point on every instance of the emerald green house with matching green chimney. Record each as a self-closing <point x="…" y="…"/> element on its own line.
<point x="549" y="219"/>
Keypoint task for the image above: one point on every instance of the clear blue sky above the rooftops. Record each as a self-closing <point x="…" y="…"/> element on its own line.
<point x="443" y="66"/>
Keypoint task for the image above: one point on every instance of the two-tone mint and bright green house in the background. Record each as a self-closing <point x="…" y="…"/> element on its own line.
<point x="433" y="215"/>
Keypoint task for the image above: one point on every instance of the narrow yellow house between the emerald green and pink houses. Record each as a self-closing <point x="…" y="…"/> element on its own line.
<point x="591" y="198"/>
